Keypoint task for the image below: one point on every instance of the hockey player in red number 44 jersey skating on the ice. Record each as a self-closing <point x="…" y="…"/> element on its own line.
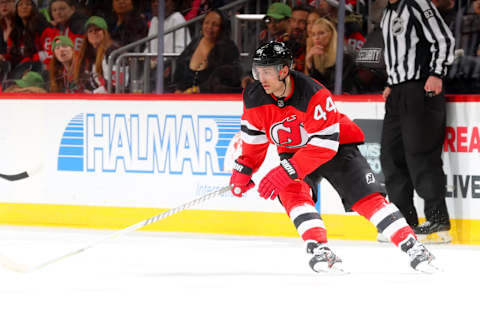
<point x="314" y="140"/>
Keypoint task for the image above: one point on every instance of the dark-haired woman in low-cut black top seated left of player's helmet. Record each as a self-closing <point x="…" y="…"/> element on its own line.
<point x="198" y="67"/>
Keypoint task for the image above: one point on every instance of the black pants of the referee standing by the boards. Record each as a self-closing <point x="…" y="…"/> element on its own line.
<point x="411" y="149"/>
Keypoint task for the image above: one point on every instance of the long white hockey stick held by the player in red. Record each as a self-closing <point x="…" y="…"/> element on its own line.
<point x="12" y="265"/>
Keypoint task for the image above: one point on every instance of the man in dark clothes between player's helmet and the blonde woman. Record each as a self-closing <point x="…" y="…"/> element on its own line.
<point x="298" y="36"/>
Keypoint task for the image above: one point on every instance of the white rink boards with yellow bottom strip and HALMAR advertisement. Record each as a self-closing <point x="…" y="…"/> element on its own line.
<point x="111" y="161"/>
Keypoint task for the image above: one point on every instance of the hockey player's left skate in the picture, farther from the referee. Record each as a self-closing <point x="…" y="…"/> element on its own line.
<point x="324" y="260"/>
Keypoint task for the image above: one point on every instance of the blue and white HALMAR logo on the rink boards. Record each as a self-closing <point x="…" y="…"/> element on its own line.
<point x="147" y="143"/>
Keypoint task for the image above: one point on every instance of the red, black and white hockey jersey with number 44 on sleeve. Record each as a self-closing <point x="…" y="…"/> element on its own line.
<point x="306" y="123"/>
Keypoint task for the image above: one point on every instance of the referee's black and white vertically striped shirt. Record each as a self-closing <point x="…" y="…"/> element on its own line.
<point x="418" y="43"/>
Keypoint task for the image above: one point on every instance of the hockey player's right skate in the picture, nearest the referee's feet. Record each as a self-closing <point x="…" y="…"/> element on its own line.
<point x="420" y="258"/>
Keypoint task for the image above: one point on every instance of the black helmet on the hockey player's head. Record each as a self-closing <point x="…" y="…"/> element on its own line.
<point x="272" y="54"/>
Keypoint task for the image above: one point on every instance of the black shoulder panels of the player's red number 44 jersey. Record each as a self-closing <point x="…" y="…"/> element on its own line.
<point x="304" y="89"/>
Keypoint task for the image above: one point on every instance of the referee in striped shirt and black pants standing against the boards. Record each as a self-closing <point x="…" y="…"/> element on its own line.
<point x="418" y="48"/>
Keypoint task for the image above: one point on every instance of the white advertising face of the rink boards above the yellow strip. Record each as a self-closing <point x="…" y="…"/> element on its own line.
<point x="161" y="152"/>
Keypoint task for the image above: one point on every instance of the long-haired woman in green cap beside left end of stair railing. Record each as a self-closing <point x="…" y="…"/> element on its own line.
<point x="91" y="69"/>
